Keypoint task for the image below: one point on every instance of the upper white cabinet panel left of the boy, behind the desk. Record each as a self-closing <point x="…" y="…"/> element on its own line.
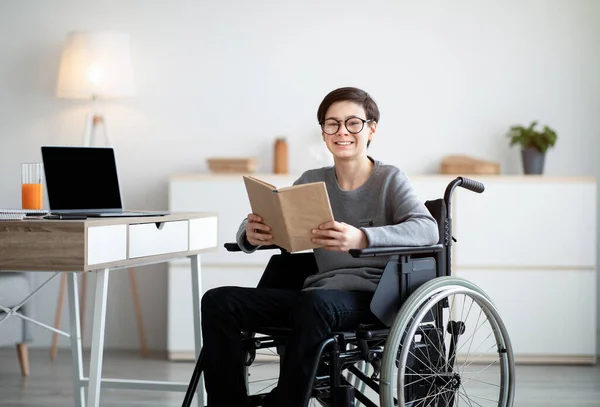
<point x="227" y="197"/>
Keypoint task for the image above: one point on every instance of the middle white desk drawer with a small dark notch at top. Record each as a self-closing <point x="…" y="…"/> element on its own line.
<point x="150" y="239"/>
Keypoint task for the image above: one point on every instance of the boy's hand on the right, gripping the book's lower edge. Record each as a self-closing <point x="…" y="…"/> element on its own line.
<point x="339" y="236"/>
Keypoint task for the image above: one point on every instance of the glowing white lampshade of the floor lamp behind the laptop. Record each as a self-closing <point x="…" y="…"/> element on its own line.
<point x="96" y="64"/>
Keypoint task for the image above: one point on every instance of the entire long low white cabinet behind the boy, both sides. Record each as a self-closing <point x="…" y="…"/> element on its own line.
<point x="529" y="242"/>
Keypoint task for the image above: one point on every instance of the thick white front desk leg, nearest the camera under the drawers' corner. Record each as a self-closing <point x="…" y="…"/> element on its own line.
<point x="98" y="326"/>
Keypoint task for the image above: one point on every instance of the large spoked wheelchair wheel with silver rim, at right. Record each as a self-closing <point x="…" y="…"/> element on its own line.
<point x="447" y="347"/>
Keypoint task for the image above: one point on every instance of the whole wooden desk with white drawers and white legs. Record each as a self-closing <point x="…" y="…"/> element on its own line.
<point x="99" y="246"/>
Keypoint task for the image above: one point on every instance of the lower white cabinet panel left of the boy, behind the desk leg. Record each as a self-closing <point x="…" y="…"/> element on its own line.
<point x="180" y="328"/>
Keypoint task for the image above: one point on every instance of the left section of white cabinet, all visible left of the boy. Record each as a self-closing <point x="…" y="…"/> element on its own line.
<point x="226" y="196"/>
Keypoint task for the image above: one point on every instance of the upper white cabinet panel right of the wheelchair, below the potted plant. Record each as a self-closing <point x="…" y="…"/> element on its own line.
<point x="527" y="224"/>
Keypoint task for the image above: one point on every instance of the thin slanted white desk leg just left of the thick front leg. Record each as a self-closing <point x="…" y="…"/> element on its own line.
<point x="75" y="337"/>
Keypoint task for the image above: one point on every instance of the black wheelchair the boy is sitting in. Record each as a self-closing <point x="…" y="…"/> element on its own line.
<point x="403" y="294"/>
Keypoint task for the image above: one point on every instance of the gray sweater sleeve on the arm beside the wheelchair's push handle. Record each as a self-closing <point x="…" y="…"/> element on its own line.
<point x="412" y="223"/>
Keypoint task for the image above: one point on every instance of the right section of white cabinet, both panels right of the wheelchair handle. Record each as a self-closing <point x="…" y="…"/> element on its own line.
<point x="530" y="244"/>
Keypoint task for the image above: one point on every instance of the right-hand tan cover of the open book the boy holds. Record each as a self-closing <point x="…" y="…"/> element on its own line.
<point x="304" y="207"/>
